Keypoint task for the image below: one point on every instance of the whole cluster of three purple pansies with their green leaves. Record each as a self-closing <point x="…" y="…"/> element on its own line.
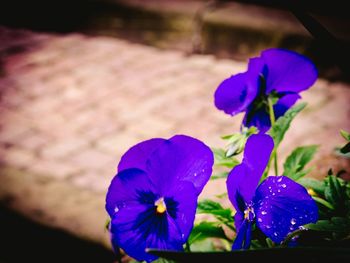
<point x="153" y="199"/>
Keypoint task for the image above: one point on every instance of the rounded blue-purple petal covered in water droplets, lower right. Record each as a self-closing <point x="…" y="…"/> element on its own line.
<point x="282" y="206"/>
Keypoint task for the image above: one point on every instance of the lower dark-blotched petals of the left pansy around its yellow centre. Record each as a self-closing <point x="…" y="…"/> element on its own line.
<point x="137" y="226"/>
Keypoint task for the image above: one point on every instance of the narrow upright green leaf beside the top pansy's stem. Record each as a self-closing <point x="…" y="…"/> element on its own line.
<point x="282" y="124"/>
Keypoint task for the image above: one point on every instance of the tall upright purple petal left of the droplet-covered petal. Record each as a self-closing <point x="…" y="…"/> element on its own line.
<point x="244" y="178"/>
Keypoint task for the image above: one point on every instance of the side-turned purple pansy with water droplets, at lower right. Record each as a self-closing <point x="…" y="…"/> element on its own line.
<point x="278" y="206"/>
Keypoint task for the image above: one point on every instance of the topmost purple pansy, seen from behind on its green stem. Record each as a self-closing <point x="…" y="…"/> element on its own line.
<point x="280" y="73"/>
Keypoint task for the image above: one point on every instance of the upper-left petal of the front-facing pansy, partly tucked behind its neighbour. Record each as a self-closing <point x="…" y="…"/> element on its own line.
<point x="137" y="155"/>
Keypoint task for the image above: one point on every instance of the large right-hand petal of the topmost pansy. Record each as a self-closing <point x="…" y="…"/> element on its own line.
<point x="288" y="71"/>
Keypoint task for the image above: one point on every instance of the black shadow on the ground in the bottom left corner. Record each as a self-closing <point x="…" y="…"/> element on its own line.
<point x="23" y="240"/>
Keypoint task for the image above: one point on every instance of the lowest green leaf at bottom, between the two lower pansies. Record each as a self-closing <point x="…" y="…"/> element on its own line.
<point x="205" y="230"/>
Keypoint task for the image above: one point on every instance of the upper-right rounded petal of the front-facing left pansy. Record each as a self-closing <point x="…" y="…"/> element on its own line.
<point x="181" y="158"/>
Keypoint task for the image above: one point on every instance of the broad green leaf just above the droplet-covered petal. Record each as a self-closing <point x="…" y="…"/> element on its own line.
<point x="296" y="161"/>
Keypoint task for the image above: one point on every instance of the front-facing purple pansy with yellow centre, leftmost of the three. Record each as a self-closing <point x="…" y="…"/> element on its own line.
<point x="152" y="200"/>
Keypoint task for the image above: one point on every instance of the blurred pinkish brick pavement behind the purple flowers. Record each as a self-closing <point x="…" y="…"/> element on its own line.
<point x="71" y="105"/>
